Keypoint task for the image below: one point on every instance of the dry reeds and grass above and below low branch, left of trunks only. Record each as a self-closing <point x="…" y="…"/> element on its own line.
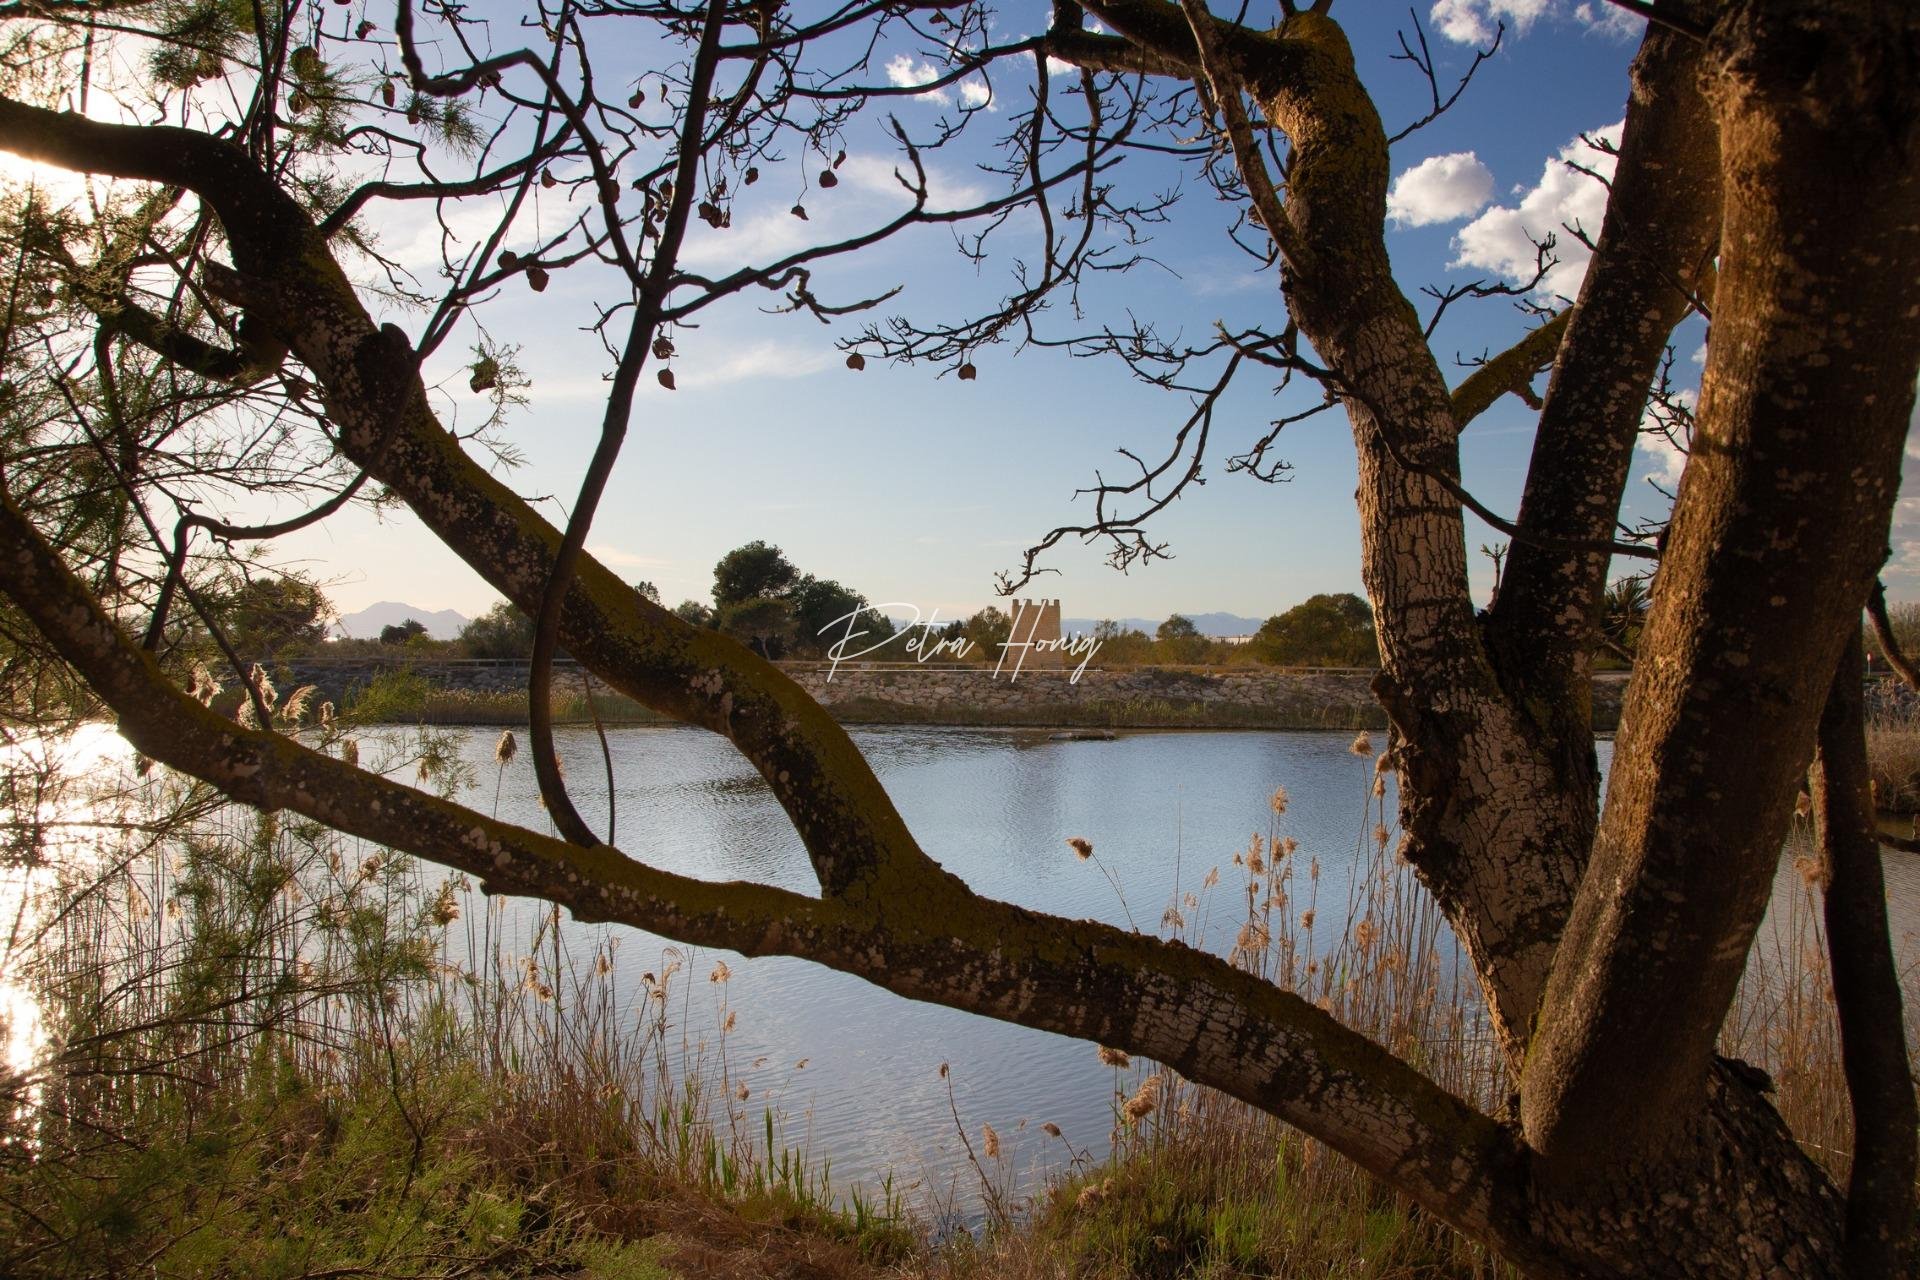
<point x="1201" y="1185"/>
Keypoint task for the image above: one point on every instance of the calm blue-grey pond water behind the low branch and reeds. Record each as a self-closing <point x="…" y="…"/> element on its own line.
<point x="996" y="807"/>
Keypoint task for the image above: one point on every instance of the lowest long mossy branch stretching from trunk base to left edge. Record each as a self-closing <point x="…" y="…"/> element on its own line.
<point x="1191" y="1010"/>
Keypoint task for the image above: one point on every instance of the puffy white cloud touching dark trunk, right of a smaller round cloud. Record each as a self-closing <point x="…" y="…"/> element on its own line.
<point x="1502" y="239"/>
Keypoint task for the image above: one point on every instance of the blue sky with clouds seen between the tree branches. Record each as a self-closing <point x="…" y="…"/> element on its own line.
<point x="919" y="488"/>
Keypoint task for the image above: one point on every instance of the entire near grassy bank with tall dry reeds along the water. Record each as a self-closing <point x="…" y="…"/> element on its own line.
<point x="277" y="1053"/>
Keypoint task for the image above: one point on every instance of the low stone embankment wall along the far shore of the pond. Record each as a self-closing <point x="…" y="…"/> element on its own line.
<point x="880" y="694"/>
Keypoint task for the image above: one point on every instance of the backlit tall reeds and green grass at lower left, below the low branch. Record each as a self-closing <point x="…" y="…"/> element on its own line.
<point x="270" y="1051"/>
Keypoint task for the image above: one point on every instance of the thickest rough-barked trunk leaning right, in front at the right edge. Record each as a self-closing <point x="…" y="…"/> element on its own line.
<point x="1777" y="534"/>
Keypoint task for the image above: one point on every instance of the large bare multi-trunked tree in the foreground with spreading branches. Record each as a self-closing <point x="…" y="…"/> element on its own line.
<point x="1769" y="172"/>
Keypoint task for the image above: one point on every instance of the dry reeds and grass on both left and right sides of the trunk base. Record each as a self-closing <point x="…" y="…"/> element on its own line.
<point x="1199" y="1185"/>
